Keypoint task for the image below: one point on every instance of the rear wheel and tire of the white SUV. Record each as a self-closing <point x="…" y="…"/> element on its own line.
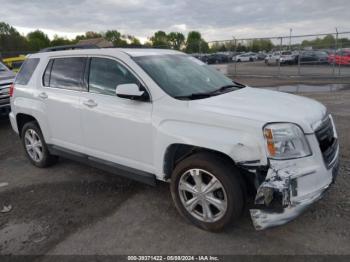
<point x="31" y="130"/>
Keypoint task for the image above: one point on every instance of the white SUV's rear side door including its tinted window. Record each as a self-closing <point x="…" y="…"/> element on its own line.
<point x="63" y="83"/>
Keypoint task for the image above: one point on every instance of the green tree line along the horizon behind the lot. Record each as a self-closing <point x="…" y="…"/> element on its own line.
<point x="11" y="41"/>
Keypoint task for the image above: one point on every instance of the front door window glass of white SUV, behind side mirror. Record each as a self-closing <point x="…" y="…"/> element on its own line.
<point x="106" y="74"/>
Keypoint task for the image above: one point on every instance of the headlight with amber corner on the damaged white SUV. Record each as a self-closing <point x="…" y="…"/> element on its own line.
<point x="285" y="141"/>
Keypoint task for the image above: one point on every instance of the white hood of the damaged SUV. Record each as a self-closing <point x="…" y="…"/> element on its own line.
<point x="265" y="106"/>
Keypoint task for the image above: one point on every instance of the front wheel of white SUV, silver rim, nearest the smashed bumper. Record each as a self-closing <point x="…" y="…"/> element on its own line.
<point x="230" y="191"/>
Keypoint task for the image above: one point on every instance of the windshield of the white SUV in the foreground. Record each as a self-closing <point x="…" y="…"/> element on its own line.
<point x="182" y="75"/>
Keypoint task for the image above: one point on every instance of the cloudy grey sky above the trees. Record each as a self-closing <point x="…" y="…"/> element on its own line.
<point x="216" y="20"/>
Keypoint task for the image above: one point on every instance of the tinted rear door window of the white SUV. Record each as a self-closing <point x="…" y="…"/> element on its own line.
<point x="66" y="73"/>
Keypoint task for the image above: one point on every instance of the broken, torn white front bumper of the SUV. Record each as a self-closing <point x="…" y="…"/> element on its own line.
<point x="290" y="187"/>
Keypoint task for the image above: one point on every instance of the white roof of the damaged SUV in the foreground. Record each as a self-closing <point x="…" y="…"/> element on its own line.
<point x="133" y="52"/>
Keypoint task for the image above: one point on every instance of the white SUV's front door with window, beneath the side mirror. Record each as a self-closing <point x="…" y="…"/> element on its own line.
<point x="116" y="129"/>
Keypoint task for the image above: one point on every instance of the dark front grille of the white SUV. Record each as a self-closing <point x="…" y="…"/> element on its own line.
<point x="327" y="141"/>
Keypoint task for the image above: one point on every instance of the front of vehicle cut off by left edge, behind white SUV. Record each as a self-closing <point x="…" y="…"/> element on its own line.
<point x="6" y="79"/>
